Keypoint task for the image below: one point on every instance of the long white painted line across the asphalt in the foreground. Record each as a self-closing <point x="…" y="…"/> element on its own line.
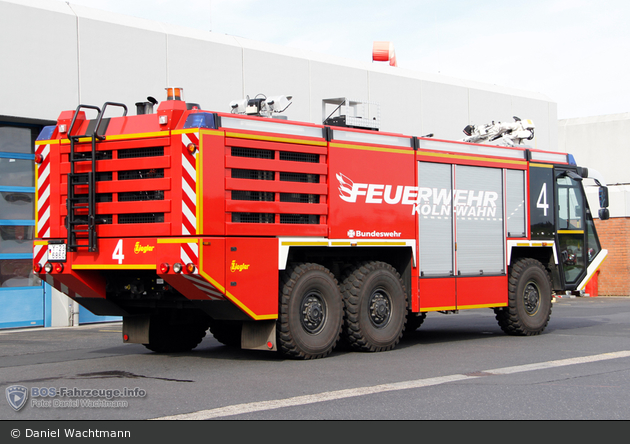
<point x="251" y="407"/>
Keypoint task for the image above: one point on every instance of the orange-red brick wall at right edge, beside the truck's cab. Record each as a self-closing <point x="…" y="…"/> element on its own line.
<point x="614" y="277"/>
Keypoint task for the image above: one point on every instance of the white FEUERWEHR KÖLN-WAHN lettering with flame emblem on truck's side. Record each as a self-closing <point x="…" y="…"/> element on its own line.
<point x="425" y="201"/>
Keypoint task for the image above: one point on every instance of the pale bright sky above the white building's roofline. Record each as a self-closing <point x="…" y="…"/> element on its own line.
<point x="575" y="52"/>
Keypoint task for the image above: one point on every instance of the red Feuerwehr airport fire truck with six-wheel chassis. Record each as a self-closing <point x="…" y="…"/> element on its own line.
<point x="288" y="236"/>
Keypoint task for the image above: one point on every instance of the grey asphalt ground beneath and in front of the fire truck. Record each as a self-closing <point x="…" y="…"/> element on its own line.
<point x="455" y="367"/>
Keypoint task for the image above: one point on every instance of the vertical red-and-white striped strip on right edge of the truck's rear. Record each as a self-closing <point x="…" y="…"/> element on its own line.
<point x="189" y="185"/>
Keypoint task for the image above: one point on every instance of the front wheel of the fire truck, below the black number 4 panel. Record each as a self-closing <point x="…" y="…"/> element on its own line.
<point x="529" y="299"/>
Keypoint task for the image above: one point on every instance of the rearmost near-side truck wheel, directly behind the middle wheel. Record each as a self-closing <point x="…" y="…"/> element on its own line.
<point x="310" y="313"/>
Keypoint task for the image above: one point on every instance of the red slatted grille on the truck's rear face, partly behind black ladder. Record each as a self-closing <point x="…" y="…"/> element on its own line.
<point x="126" y="204"/>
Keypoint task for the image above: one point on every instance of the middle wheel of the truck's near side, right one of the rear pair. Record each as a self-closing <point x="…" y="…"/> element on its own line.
<point x="375" y="306"/>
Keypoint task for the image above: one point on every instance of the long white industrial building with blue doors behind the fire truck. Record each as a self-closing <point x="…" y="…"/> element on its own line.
<point x="56" y="55"/>
